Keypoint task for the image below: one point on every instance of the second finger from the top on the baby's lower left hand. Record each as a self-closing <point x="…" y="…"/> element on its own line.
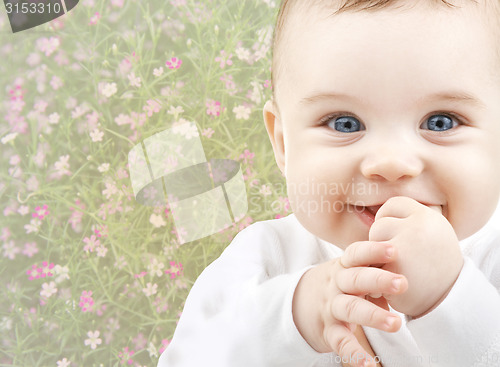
<point x="361" y="281"/>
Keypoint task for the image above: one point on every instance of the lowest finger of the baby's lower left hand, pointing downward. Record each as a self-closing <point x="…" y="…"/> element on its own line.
<point x="342" y="340"/>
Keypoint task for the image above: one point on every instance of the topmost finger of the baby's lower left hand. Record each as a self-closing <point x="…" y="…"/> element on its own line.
<point x="365" y="253"/>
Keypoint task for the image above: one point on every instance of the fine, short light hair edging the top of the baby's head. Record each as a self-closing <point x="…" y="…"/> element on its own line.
<point x="290" y="7"/>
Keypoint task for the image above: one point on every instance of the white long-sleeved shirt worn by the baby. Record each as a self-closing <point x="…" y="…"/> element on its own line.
<point x="239" y="311"/>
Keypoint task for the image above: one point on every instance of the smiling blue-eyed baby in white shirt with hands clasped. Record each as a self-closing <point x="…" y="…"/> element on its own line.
<point x="385" y="121"/>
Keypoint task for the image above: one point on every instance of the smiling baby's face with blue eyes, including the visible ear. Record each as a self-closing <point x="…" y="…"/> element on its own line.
<point x="397" y="102"/>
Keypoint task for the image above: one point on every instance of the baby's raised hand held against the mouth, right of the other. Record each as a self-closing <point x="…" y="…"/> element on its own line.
<point x="429" y="254"/>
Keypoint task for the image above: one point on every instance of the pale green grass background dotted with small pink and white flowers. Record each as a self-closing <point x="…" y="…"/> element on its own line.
<point x="89" y="277"/>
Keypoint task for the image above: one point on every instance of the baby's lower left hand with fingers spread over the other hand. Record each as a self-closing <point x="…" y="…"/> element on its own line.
<point x="329" y="300"/>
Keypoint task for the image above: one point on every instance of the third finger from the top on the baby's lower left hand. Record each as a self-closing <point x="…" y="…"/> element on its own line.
<point x="359" y="311"/>
